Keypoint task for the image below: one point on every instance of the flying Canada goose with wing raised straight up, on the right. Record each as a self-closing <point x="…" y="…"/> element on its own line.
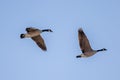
<point x="86" y="49"/>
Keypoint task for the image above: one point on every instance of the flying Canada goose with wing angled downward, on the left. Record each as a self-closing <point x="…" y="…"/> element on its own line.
<point x="34" y="34"/>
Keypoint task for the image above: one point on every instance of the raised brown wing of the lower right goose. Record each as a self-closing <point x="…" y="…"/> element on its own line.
<point x="83" y="41"/>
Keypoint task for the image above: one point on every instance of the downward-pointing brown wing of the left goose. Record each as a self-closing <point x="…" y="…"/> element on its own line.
<point x="40" y="42"/>
